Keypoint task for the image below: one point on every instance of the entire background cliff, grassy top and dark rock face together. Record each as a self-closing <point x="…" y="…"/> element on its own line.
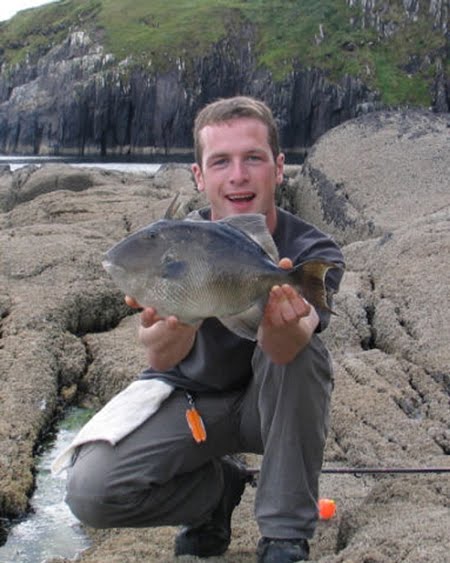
<point x="75" y="82"/>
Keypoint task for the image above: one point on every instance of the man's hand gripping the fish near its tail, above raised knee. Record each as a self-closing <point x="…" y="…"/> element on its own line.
<point x="288" y="322"/>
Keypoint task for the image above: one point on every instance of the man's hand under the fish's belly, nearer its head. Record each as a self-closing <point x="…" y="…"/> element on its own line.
<point x="166" y="340"/>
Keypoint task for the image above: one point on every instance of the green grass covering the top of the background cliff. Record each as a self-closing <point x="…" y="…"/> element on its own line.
<point x="158" y="34"/>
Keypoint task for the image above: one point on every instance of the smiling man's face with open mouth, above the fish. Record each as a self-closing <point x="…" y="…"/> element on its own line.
<point x="238" y="173"/>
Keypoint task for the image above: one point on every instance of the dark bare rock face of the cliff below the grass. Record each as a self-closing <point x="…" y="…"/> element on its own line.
<point x="77" y="101"/>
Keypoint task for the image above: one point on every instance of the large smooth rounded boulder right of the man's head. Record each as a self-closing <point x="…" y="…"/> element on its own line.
<point x="386" y="162"/>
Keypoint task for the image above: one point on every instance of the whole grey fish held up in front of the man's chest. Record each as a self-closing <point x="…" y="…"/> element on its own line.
<point x="196" y="269"/>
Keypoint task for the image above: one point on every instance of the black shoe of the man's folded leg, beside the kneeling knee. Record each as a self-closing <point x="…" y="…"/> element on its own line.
<point x="214" y="536"/>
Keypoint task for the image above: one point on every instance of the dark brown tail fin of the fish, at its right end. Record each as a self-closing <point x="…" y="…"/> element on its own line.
<point x="309" y="277"/>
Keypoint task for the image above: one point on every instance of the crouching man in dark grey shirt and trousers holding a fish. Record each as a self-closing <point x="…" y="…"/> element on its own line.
<point x="270" y="397"/>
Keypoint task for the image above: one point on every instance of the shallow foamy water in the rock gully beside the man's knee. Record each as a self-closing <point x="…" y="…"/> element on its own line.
<point x="50" y="530"/>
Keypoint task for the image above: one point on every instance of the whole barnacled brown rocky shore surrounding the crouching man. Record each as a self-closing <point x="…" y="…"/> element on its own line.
<point x="380" y="184"/>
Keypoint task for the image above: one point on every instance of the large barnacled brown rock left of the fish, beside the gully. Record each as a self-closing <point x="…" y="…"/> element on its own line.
<point x="54" y="291"/>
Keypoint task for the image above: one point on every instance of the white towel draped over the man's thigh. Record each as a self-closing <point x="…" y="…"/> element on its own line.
<point x="118" y="418"/>
